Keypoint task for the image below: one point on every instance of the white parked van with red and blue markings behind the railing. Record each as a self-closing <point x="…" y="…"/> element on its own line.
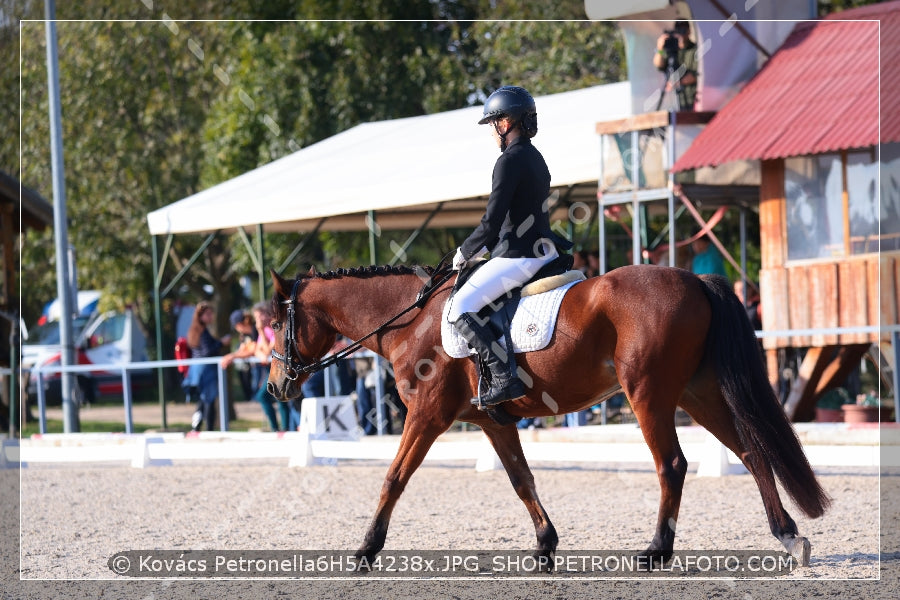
<point x="110" y="338"/>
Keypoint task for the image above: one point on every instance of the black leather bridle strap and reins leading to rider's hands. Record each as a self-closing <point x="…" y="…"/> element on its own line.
<point x="295" y="367"/>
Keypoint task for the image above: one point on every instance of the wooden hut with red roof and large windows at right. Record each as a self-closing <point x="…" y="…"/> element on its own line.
<point x="829" y="224"/>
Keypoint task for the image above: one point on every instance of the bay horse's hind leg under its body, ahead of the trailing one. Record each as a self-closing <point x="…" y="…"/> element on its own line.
<point x="657" y="423"/>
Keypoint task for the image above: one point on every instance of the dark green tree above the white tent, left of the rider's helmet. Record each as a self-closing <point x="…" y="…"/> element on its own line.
<point x="303" y="82"/>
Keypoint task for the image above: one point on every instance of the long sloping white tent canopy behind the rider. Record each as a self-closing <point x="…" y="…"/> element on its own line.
<point x="401" y="168"/>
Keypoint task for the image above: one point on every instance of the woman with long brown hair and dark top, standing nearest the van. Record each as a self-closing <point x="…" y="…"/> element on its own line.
<point x="202" y="379"/>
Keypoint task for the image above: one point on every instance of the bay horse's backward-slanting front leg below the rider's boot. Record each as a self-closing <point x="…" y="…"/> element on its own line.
<point x="506" y="442"/>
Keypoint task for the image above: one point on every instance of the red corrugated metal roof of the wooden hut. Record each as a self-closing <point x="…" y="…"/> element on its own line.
<point x="818" y="93"/>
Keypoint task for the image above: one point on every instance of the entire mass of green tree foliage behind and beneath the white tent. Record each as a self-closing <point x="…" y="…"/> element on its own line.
<point x="154" y="111"/>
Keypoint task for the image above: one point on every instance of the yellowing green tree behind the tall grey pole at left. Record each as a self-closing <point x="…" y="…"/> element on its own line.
<point x="131" y="128"/>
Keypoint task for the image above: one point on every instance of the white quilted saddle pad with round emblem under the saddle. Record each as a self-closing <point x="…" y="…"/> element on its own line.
<point x="532" y="325"/>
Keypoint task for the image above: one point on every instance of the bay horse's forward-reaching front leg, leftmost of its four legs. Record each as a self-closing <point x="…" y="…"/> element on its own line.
<point x="419" y="433"/>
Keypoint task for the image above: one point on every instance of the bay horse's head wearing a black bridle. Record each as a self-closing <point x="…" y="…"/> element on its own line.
<point x="302" y="336"/>
